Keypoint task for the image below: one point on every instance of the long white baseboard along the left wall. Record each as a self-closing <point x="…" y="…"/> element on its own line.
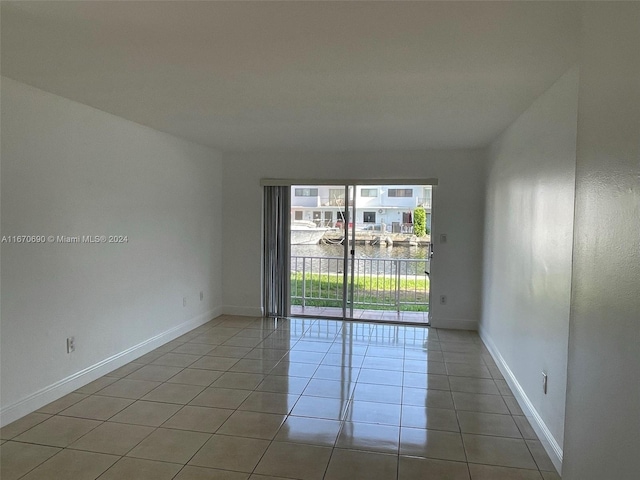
<point x="59" y="389"/>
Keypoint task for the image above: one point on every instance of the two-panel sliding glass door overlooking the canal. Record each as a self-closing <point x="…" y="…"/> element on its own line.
<point x="360" y="251"/>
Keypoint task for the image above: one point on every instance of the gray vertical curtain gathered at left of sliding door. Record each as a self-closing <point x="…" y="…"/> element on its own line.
<point x="277" y="219"/>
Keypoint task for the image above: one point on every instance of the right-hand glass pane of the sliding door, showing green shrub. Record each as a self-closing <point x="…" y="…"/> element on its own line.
<point x="391" y="248"/>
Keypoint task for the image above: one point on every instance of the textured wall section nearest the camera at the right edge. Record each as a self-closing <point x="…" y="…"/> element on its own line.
<point x="602" y="429"/>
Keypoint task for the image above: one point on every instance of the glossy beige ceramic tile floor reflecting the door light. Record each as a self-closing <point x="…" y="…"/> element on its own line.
<point x="245" y="398"/>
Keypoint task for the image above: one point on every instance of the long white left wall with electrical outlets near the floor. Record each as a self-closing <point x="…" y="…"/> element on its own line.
<point x="68" y="169"/>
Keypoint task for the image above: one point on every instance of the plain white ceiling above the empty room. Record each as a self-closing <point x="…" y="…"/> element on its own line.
<point x="323" y="76"/>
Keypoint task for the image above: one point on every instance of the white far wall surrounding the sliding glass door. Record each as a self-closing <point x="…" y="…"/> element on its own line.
<point x="458" y="212"/>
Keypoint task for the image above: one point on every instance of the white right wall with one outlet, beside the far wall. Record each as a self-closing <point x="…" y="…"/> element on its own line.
<point x="527" y="253"/>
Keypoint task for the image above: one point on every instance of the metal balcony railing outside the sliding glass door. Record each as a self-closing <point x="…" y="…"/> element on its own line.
<point x="397" y="284"/>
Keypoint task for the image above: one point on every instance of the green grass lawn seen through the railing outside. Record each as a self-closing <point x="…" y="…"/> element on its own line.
<point x="370" y="292"/>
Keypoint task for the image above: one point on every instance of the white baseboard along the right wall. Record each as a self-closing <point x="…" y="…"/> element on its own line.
<point x="550" y="444"/>
